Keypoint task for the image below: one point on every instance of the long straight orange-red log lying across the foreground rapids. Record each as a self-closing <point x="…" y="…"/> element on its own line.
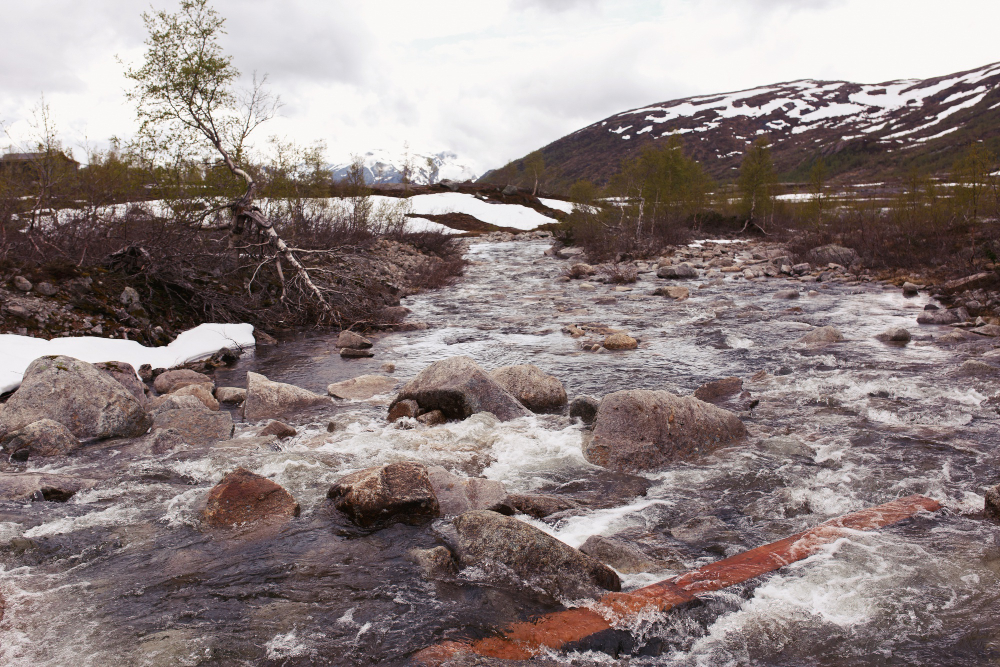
<point x="572" y="627"/>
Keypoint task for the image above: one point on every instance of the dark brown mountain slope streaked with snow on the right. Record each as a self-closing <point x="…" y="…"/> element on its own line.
<point x="860" y="130"/>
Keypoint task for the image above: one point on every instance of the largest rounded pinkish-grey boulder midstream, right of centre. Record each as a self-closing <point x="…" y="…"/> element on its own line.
<point x="638" y="429"/>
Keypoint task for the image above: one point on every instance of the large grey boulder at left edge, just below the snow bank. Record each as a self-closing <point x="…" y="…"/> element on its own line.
<point x="77" y="395"/>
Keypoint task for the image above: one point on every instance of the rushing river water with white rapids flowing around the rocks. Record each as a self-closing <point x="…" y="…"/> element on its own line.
<point x="123" y="574"/>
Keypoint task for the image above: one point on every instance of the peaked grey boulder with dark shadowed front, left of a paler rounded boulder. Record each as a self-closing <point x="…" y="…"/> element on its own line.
<point x="459" y="388"/>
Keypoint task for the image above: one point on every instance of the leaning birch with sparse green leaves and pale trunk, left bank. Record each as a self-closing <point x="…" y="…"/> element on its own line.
<point x="187" y="100"/>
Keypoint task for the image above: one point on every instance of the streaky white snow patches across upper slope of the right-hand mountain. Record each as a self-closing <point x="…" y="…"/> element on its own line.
<point x="887" y="111"/>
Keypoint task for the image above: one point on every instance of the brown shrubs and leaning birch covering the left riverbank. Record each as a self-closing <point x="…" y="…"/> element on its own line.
<point x="203" y="222"/>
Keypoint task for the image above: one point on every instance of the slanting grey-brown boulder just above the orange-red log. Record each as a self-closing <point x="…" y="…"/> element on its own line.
<point x="500" y="544"/>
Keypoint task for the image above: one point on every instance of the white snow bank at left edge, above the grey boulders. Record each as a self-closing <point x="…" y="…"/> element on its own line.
<point x="198" y="343"/>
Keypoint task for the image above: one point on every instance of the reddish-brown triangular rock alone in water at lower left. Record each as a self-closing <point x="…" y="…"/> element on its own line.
<point x="243" y="497"/>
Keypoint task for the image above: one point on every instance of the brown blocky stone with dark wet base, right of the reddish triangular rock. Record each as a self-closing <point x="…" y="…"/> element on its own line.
<point x="378" y="497"/>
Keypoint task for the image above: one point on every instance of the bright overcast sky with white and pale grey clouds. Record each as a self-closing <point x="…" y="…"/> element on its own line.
<point x="488" y="80"/>
